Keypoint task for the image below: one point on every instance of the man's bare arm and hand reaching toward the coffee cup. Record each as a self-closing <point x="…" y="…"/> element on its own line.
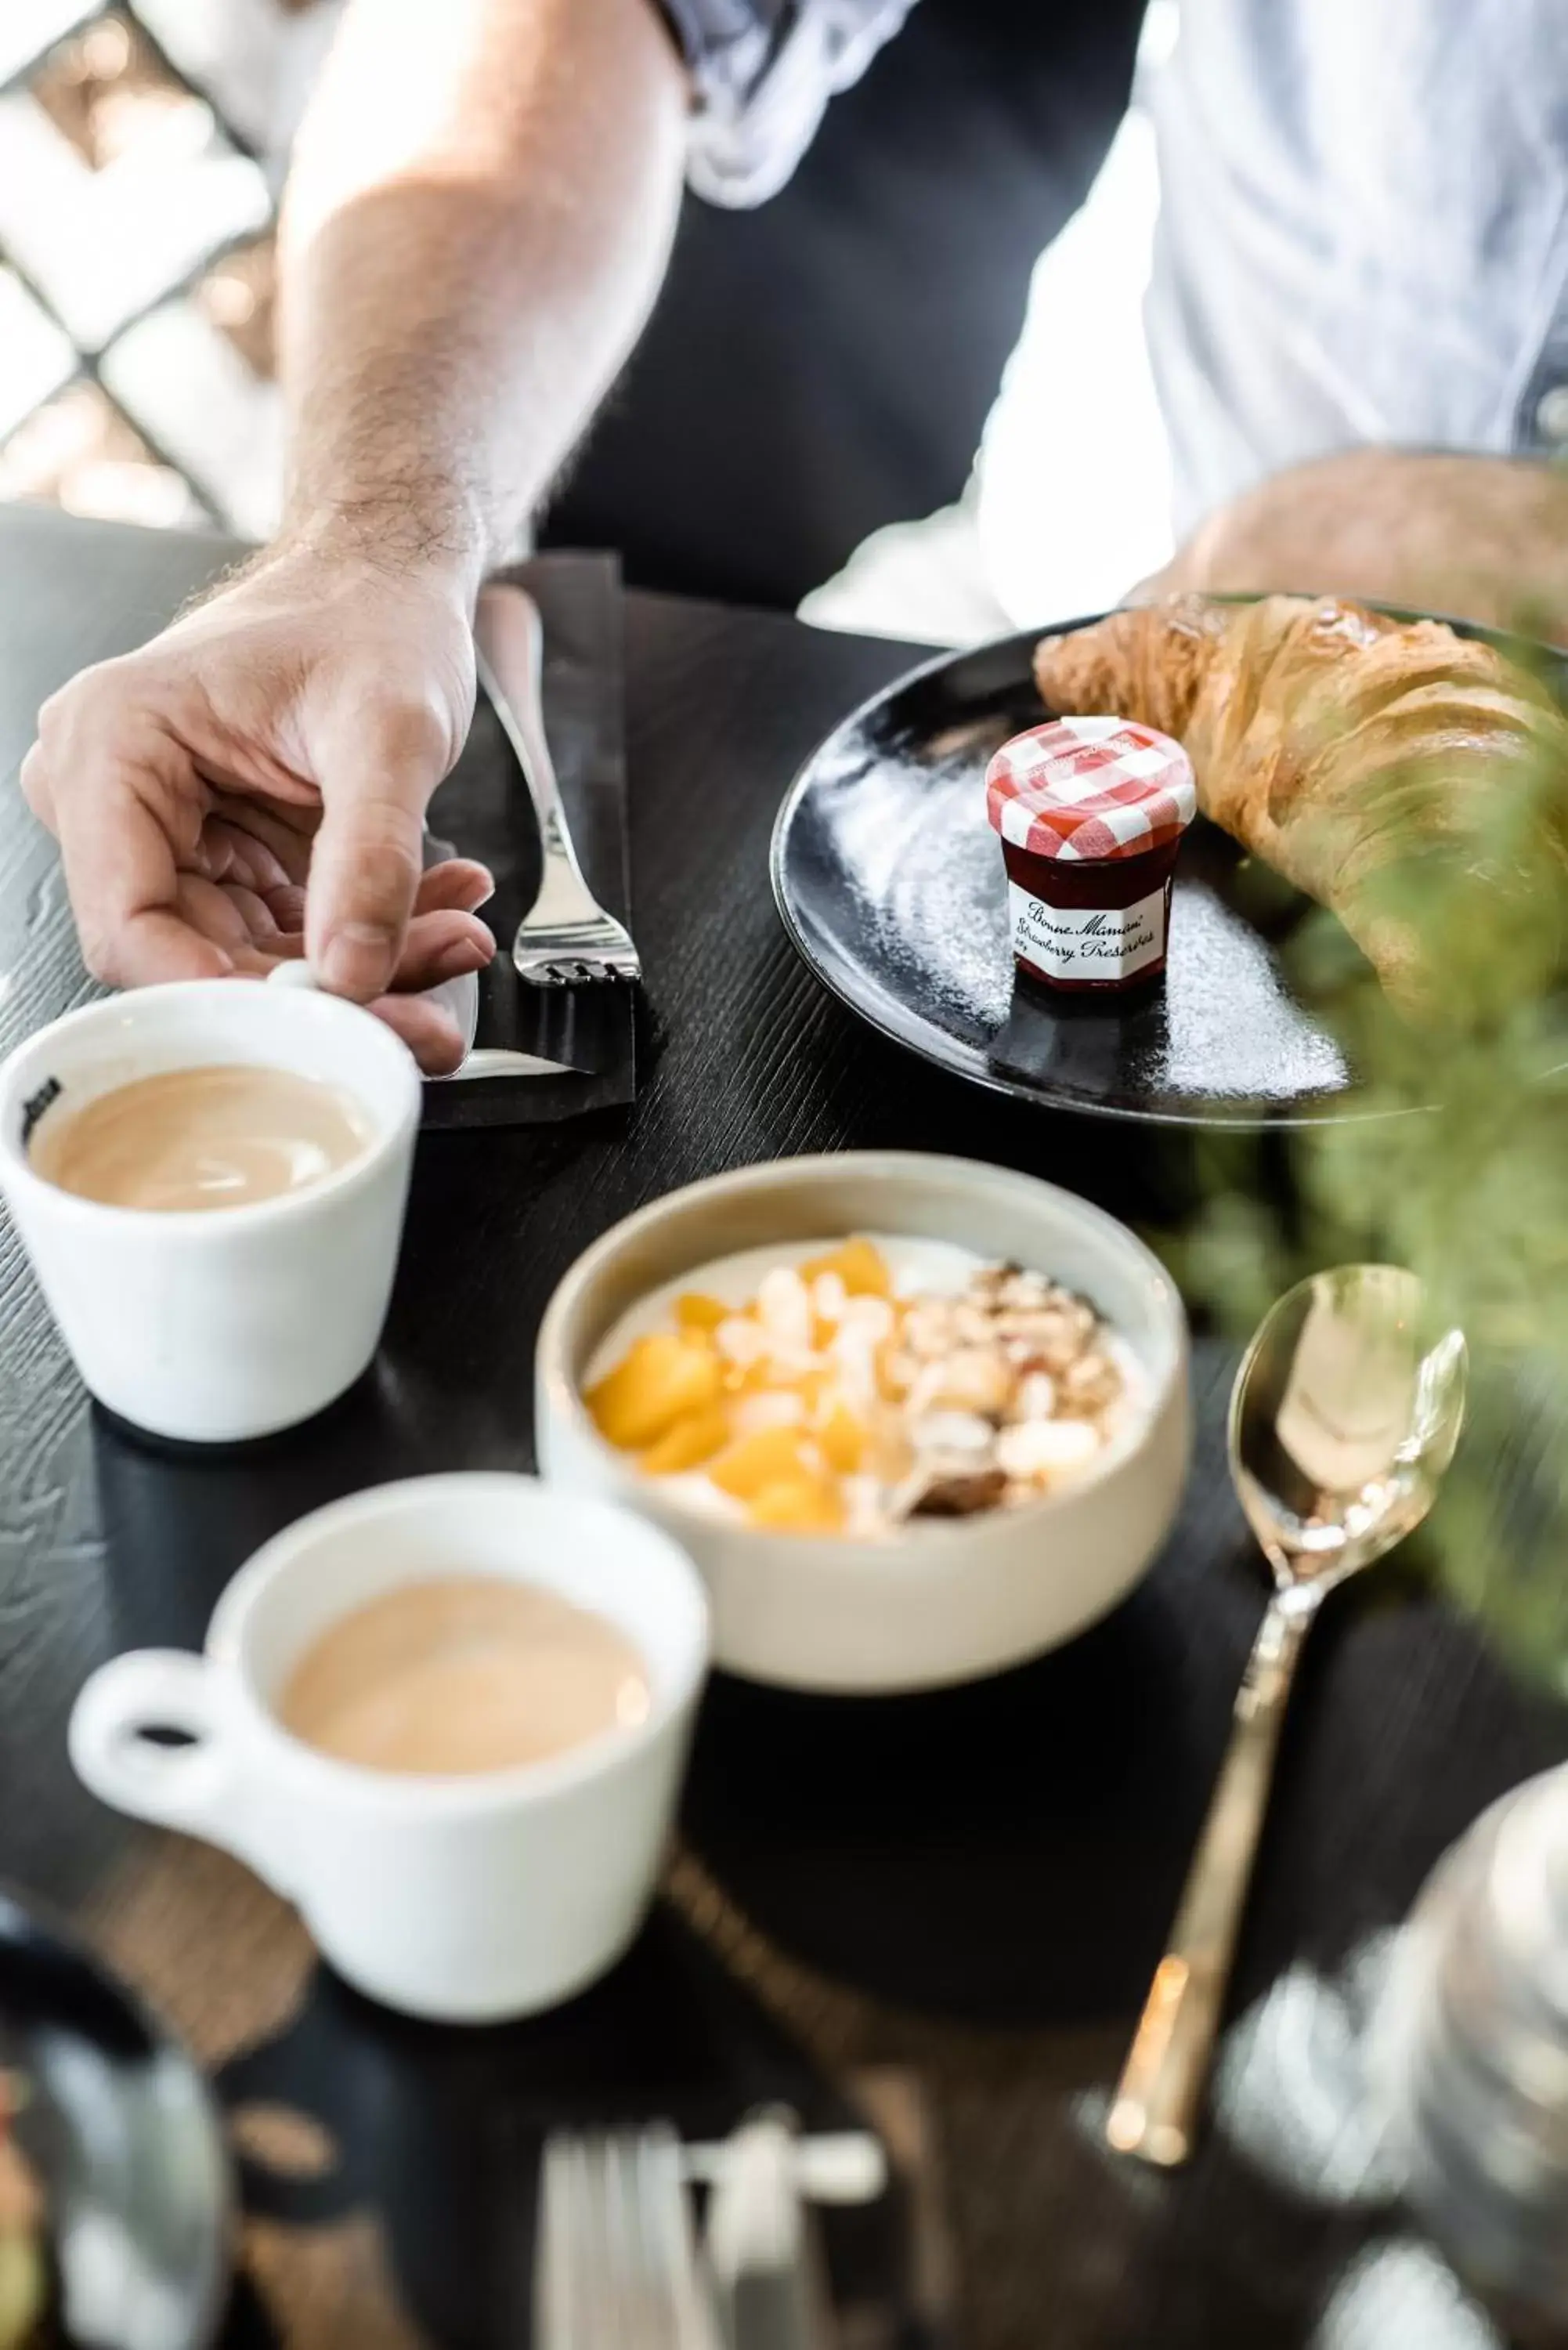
<point x="474" y="236"/>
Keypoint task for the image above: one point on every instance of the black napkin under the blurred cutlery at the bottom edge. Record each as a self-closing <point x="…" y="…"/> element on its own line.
<point x="441" y="2130"/>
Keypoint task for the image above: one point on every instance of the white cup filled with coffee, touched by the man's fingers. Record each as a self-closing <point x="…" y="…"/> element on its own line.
<point x="210" y="1181"/>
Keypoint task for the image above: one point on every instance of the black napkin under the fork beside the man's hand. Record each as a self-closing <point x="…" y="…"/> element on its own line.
<point x="485" y="812"/>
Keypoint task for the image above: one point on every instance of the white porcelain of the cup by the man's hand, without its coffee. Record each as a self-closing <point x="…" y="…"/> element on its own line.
<point x="232" y="1322"/>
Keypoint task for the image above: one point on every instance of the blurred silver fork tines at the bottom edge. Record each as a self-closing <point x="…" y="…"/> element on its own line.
<point x="617" y="2262"/>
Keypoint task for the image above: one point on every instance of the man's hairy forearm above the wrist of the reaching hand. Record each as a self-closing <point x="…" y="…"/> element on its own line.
<point x="476" y="229"/>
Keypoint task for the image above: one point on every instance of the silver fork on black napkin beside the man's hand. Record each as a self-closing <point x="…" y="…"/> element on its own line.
<point x="565" y="939"/>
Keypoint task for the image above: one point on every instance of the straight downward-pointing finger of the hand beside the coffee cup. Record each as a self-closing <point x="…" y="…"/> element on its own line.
<point x="377" y="772"/>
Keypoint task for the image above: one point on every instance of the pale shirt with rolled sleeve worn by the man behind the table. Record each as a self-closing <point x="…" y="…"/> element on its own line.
<point x="1325" y="224"/>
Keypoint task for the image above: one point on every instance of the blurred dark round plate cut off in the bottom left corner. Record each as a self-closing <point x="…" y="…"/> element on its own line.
<point x="123" y="2135"/>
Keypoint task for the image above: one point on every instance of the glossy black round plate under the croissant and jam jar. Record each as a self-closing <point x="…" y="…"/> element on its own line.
<point x="890" y="882"/>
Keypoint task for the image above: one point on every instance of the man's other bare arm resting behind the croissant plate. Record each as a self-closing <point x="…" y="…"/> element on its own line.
<point x="1482" y="537"/>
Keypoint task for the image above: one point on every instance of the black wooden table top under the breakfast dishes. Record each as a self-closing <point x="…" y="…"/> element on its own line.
<point x="946" y="1907"/>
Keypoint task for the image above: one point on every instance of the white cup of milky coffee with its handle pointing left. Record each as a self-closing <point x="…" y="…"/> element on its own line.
<point x="445" y="1719"/>
